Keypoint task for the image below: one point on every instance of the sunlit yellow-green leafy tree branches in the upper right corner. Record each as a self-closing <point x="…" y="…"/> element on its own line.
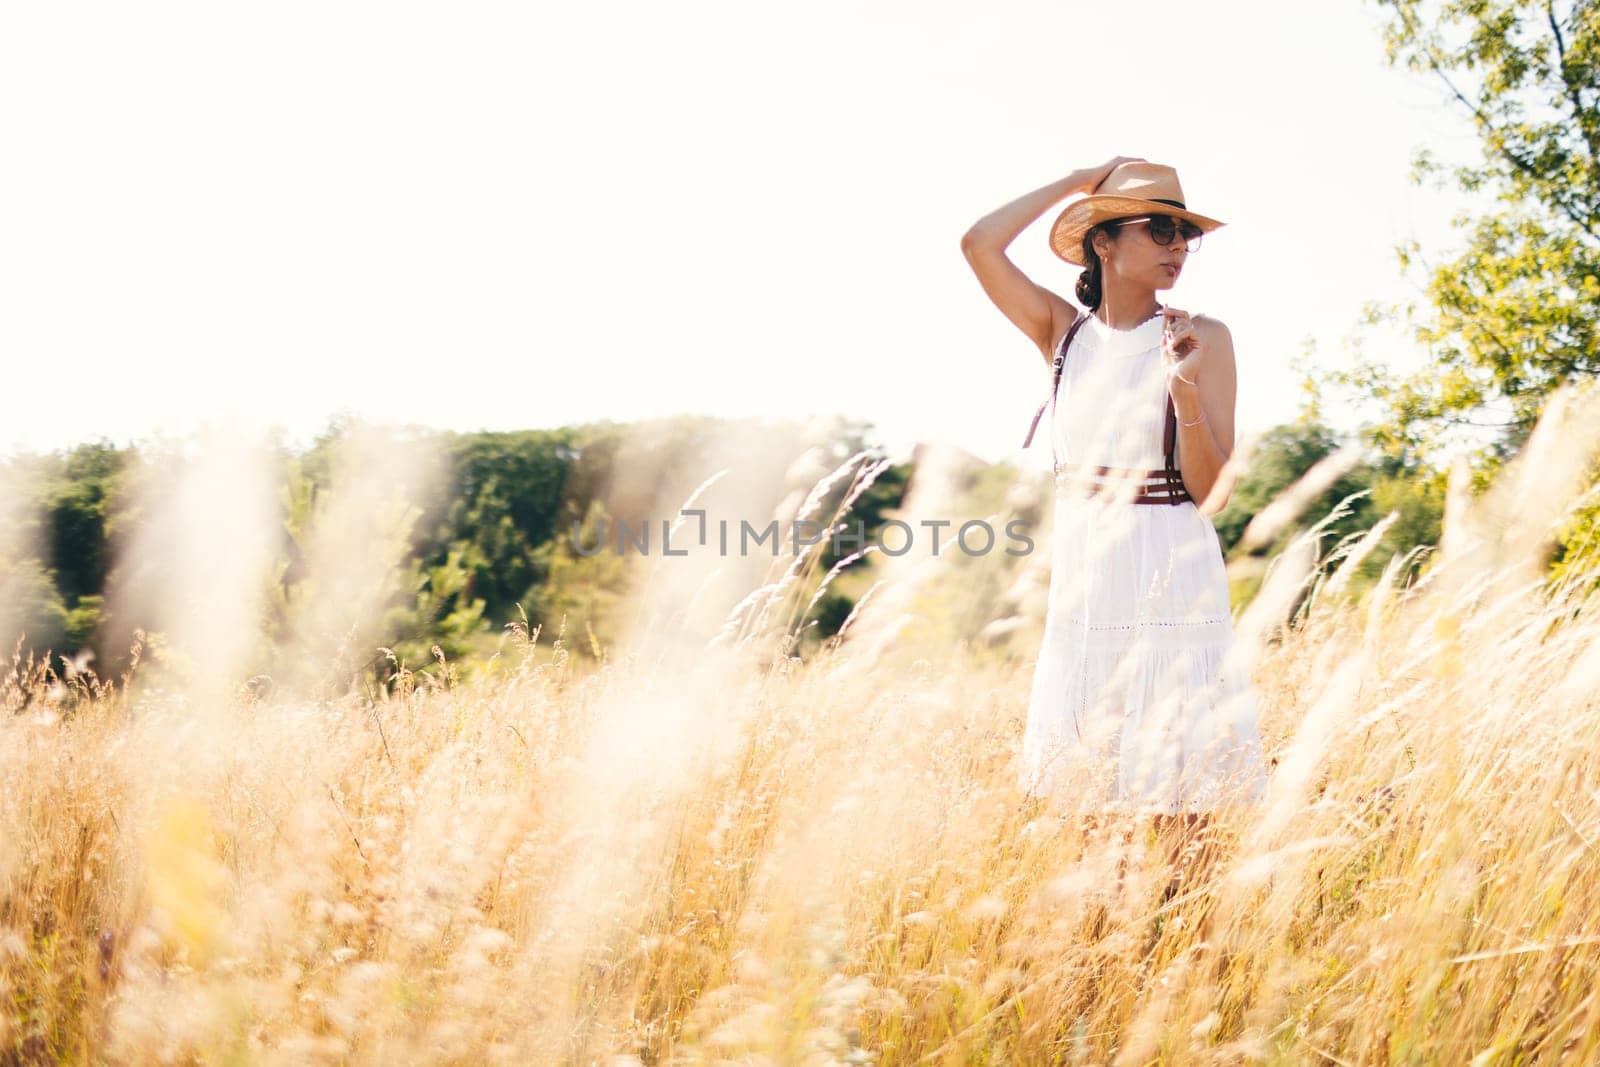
<point x="1514" y="313"/>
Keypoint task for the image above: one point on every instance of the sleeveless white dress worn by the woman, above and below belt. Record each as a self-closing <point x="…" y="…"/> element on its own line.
<point x="1137" y="701"/>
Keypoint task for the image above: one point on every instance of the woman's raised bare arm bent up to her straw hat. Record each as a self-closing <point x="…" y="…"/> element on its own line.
<point x="1034" y="310"/>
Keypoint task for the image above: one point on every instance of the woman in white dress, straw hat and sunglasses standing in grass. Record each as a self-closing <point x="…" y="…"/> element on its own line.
<point x="1137" y="703"/>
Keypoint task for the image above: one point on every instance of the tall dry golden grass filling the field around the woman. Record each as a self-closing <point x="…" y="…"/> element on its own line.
<point x="706" y="850"/>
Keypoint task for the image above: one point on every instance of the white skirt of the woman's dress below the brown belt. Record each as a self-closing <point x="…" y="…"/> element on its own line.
<point x="1138" y="701"/>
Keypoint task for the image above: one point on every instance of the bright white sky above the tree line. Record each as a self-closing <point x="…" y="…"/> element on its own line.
<point x="529" y="215"/>
